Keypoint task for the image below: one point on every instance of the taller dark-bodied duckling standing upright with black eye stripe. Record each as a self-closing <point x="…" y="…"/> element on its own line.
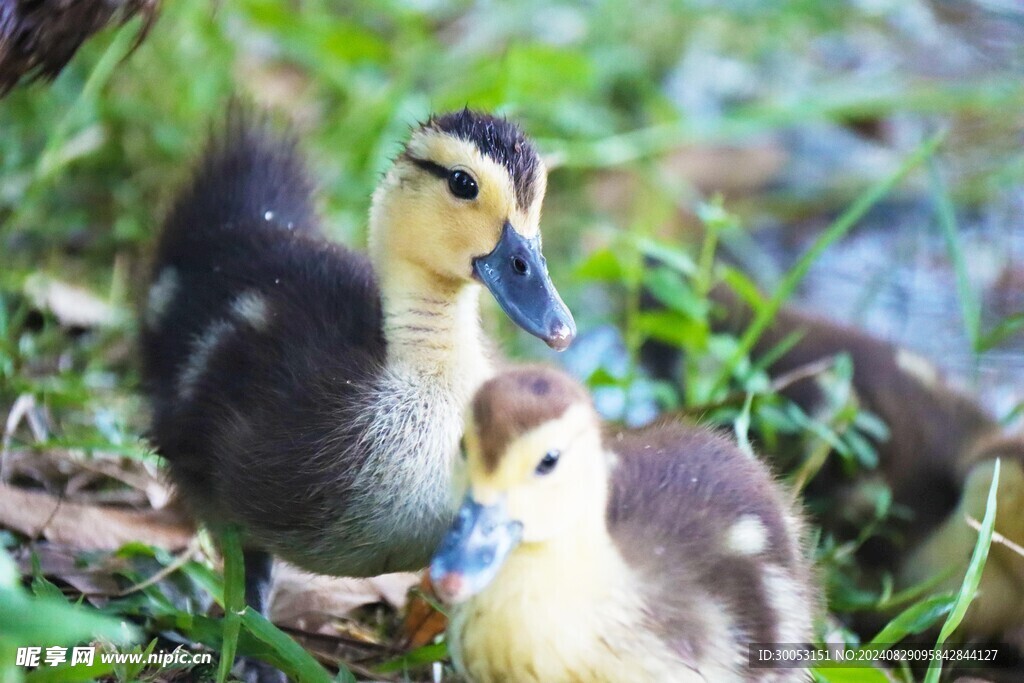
<point x="311" y="396"/>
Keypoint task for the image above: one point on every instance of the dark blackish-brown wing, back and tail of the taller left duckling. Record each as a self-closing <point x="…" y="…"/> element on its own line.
<point x="260" y="339"/>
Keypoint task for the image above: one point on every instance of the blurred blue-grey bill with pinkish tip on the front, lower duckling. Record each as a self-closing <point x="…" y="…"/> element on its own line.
<point x="474" y="550"/>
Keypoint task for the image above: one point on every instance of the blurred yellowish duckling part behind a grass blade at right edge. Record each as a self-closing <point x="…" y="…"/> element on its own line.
<point x="999" y="609"/>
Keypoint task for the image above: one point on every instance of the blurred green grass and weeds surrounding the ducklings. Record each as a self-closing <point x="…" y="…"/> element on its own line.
<point x="89" y="165"/>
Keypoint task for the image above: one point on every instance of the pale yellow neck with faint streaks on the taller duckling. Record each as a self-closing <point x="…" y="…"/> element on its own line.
<point x="434" y="328"/>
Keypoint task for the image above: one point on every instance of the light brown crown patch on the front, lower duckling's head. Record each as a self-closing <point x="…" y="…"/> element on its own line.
<point x="519" y="401"/>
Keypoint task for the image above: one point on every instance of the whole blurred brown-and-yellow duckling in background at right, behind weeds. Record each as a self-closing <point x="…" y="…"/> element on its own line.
<point x="937" y="462"/>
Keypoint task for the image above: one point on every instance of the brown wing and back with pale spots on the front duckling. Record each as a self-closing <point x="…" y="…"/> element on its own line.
<point x="714" y="545"/>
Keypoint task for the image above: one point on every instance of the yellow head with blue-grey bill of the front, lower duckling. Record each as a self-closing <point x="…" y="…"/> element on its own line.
<point x="535" y="474"/>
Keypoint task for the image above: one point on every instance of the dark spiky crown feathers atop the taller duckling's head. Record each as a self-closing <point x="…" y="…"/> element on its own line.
<point x="500" y="141"/>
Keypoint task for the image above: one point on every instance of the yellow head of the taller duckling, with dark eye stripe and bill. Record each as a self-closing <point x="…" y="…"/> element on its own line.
<point x="462" y="204"/>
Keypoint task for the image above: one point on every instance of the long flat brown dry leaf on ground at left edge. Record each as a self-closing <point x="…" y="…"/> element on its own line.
<point x="34" y="515"/>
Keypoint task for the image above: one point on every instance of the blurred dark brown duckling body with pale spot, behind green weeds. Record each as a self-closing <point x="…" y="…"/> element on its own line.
<point x="931" y="424"/>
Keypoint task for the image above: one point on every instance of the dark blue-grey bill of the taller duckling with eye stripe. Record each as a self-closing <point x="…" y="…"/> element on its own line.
<point x="518" y="276"/>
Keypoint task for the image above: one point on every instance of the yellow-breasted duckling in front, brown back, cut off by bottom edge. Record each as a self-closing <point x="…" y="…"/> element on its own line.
<point x="655" y="556"/>
